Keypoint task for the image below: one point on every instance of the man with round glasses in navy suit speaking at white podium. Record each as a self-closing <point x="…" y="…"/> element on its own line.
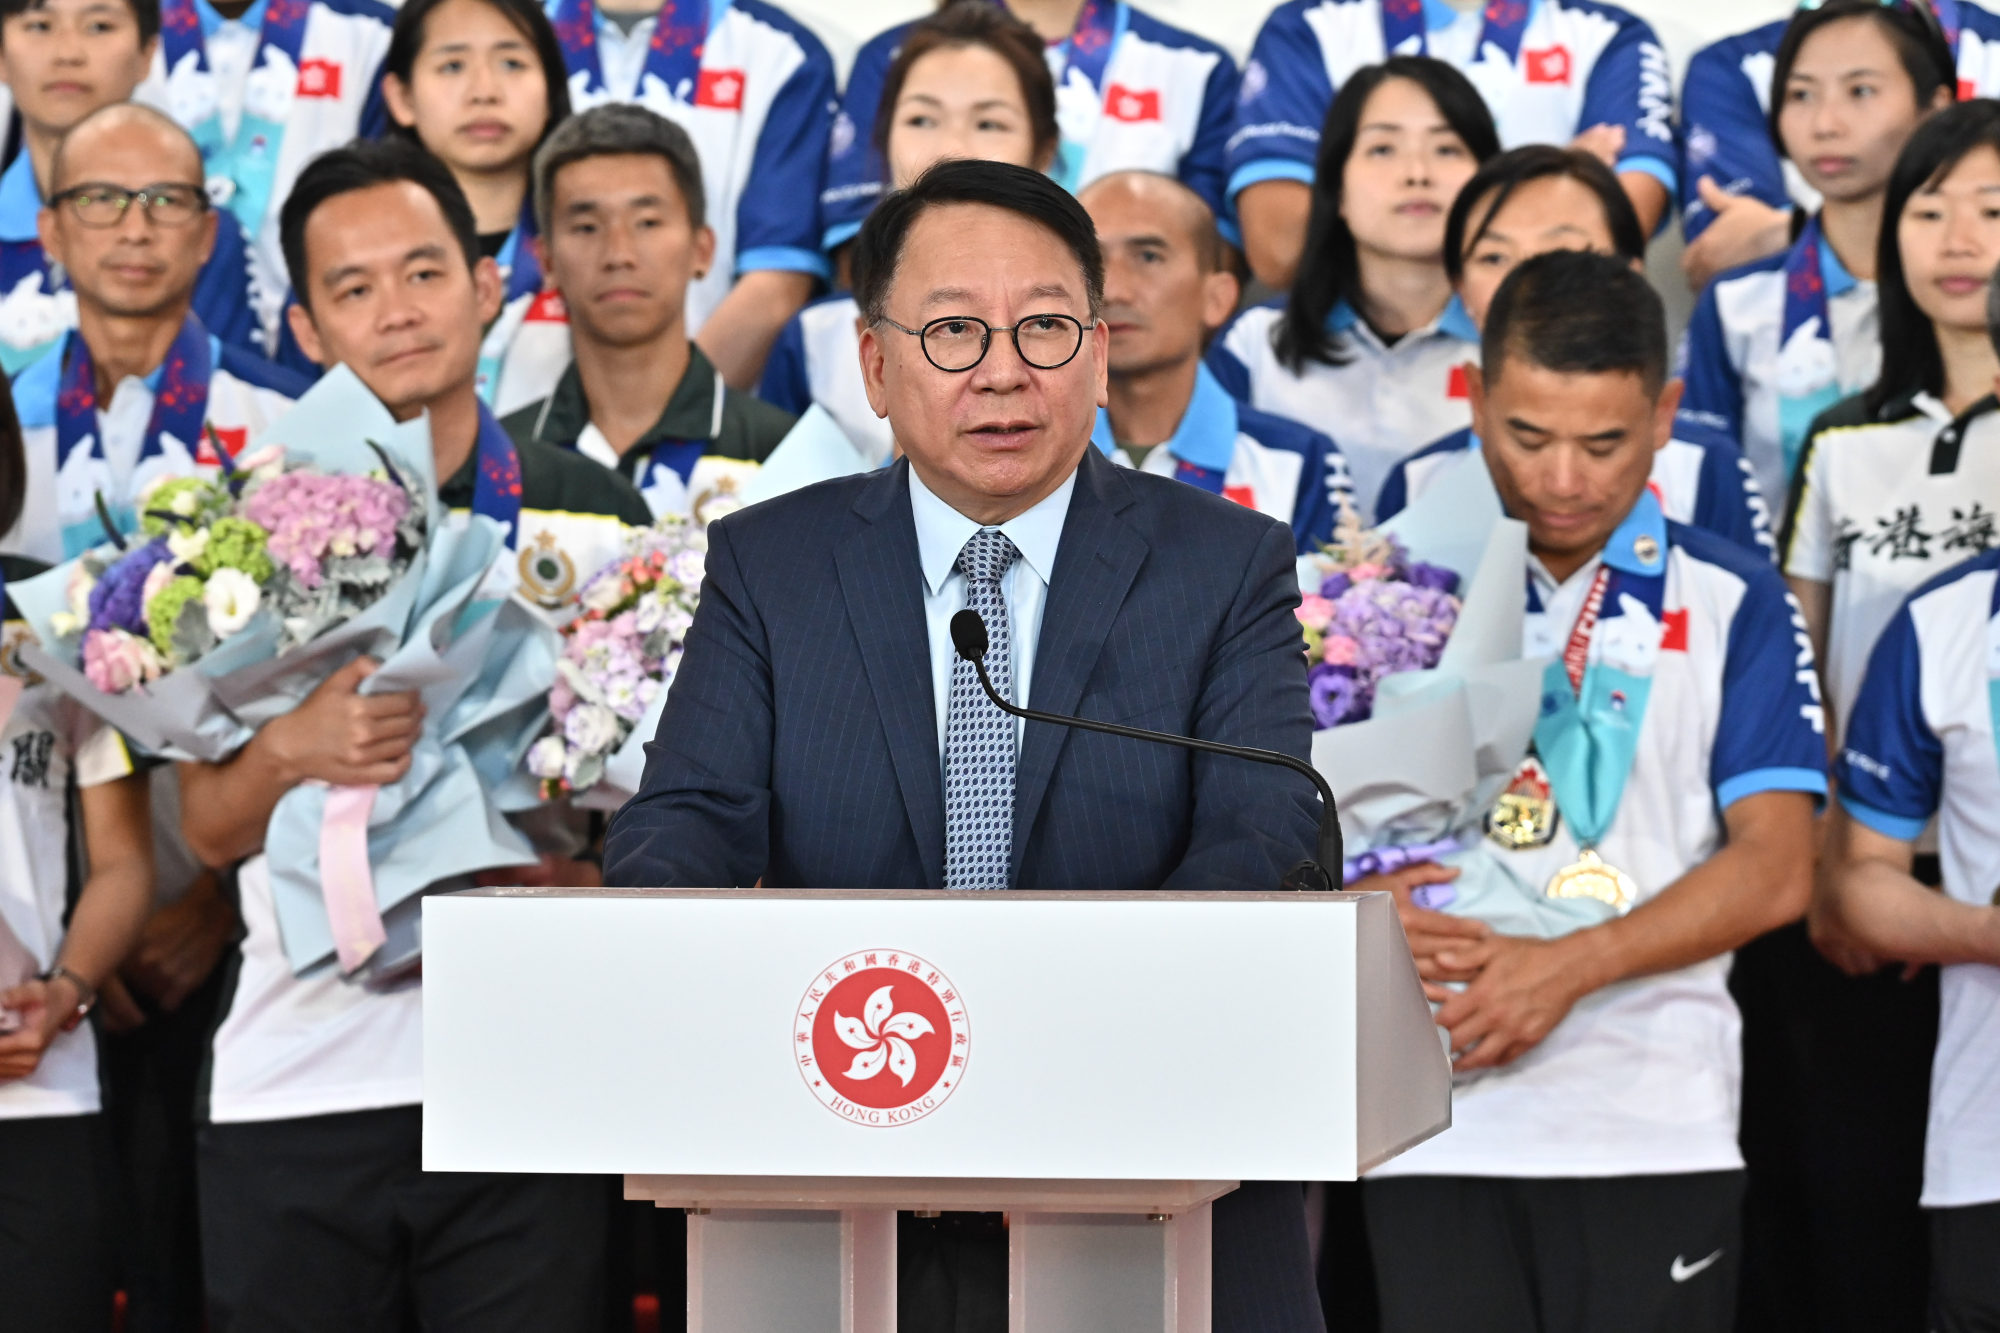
<point x="823" y="736"/>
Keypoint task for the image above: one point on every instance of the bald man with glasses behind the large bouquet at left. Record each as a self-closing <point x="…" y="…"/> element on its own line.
<point x="141" y="389"/>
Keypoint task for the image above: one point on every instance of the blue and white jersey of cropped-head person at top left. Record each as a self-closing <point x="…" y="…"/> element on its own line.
<point x="265" y="95"/>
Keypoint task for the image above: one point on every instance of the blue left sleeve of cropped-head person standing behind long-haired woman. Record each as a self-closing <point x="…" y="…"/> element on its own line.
<point x="1285" y="99"/>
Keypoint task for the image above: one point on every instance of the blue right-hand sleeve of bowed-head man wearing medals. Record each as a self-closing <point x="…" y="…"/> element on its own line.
<point x="1771" y="734"/>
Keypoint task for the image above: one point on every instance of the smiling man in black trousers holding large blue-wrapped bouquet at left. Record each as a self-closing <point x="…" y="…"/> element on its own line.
<point x="315" y="1206"/>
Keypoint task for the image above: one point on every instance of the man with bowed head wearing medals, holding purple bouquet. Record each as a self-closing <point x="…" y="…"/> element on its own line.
<point x="1593" y="1178"/>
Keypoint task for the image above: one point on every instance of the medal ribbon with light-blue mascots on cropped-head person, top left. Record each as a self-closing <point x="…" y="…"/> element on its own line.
<point x="249" y="159"/>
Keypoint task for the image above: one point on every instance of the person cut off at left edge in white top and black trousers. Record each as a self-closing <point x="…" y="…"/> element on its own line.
<point x="55" y="1238"/>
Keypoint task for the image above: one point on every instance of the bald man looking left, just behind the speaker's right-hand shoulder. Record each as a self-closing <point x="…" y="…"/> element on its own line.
<point x="1165" y="295"/>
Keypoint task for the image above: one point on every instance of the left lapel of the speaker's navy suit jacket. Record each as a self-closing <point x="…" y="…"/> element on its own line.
<point x="881" y="579"/>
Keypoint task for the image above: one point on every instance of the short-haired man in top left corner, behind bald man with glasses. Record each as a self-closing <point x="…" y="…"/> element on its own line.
<point x="65" y="61"/>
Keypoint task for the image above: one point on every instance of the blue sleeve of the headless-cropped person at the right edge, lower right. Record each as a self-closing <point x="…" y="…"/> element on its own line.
<point x="1891" y="770"/>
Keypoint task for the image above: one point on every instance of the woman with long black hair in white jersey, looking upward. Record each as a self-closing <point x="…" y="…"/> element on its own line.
<point x="1371" y="335"/>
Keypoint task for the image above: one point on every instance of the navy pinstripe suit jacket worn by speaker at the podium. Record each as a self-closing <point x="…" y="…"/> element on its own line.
<point x="801" y="748"/>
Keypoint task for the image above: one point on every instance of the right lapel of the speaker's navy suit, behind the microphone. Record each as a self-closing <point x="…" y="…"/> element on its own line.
<point x="1097" y="561"/>
